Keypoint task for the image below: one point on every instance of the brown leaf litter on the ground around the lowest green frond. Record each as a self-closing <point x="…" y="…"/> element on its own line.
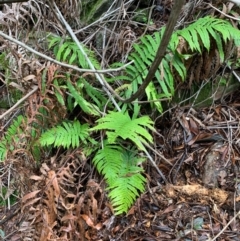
<point x="200" y="202"/>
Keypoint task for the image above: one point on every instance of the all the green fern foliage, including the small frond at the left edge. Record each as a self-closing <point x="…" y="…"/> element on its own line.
<point x="119" y="156"/>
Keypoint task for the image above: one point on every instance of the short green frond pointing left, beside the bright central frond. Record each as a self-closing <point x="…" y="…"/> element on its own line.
<point x="66" y="135"/>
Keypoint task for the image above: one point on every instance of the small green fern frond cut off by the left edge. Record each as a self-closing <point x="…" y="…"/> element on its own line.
<point x="10" y="137"/>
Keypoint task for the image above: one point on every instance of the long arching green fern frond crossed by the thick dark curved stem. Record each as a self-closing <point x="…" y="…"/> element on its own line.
<point x="198" y="36"/>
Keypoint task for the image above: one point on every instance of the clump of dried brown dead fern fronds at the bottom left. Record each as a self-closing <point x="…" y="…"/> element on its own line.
<point x="60" y="207"/>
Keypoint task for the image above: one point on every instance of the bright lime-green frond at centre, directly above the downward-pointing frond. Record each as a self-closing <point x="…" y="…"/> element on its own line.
<point x="121" y="125"/>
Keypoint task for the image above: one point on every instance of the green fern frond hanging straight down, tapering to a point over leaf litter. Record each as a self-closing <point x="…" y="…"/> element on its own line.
<point x="122" y="174"/>
